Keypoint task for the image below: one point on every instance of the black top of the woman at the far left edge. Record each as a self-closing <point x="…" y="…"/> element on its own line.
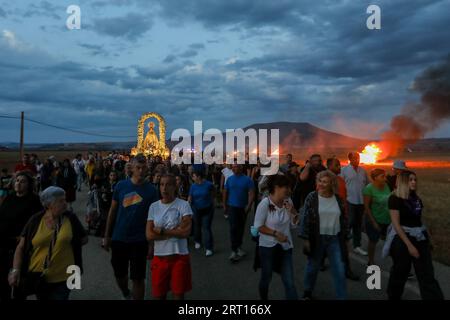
<point x="14" y="214"/>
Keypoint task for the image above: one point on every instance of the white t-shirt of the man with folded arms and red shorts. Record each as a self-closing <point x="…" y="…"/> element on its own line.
<point x="169" y="216"/>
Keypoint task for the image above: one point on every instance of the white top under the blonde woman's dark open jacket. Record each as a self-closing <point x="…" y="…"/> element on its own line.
<point x="329" y="213"/>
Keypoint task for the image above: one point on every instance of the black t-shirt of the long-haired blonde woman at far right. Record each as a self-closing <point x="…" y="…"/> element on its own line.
<point x="410" y="210"/>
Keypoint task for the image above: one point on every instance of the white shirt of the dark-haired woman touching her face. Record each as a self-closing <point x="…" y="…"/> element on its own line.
<point x="278" y="219"/>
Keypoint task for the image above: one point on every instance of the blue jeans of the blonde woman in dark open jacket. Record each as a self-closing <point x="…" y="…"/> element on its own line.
<point x="329" y="245"/>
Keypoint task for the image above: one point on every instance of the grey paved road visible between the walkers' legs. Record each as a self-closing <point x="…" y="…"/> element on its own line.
<point x="216" y="278"/>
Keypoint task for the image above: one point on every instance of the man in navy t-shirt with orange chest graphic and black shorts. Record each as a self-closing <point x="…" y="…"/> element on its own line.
<point x="125" y="229"/>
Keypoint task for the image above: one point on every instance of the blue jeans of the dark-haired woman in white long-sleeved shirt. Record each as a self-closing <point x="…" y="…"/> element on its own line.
<point x="267" y="256"/>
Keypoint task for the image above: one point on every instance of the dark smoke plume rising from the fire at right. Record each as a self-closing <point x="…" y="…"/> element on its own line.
<point x="416" y="120"/>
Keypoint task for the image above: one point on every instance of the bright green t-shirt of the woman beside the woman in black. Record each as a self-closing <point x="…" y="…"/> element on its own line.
<point x="379" y="203"/>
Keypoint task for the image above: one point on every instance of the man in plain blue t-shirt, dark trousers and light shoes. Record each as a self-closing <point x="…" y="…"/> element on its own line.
<point x="238" y="197"/>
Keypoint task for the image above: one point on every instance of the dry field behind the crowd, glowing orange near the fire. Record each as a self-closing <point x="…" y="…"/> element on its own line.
<point x="433" y="172"/>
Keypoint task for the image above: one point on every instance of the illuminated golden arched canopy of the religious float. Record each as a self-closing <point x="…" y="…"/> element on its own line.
<point x="149" y="144"/>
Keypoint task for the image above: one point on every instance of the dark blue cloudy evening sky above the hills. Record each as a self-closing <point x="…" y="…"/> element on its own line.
<point x="230" y="63"/>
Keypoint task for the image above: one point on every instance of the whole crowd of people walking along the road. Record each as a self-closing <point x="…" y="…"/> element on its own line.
<point x="146" y="208"/>
